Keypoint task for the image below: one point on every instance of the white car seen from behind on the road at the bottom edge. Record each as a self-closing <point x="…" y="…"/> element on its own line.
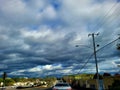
<point x="62" y="86"/>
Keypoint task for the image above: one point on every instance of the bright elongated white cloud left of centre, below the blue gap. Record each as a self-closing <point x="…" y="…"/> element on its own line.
<point x="44" y="34"/>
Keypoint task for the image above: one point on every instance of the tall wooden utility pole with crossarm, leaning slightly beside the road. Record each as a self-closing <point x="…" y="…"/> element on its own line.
<point x="95" y="56"/>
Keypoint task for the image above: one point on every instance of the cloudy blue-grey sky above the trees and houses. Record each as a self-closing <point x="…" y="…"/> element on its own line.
<point x="38" y="37"/>
